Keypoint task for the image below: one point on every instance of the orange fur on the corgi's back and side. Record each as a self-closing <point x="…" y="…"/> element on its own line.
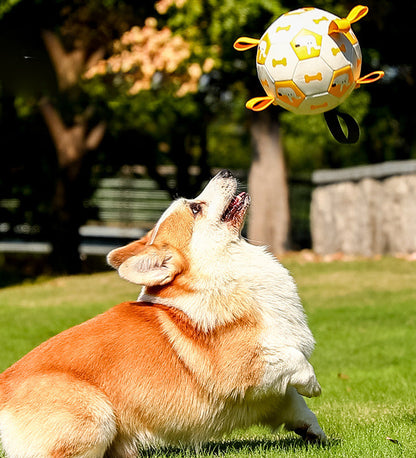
<point x="127" y="353"/>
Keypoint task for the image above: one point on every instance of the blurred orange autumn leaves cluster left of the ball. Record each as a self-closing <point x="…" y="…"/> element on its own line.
<point x="144" y="55"/>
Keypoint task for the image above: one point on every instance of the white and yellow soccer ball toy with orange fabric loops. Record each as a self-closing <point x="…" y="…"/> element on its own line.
<point x="308" y="61"/>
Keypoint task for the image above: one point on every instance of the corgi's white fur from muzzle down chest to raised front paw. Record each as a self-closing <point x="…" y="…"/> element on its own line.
<point x="232" y="277"/>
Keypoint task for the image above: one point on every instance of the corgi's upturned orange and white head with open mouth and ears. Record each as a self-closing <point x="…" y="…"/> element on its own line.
<point x="189" y="233"/>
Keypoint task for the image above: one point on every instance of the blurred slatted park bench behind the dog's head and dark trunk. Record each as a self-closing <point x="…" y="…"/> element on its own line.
<point x="123" y="210"/>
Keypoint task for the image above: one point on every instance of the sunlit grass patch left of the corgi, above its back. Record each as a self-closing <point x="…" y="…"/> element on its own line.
<point x="31" y="313"/>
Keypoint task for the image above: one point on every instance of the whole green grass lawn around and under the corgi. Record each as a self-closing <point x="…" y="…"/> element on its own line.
<point x="362" y="313"/>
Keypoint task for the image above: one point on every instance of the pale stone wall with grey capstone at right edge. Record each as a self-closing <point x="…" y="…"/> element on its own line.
<point x="365" y="210"/>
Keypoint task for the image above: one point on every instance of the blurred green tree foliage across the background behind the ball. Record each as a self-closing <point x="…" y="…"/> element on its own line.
<point x="211" y="26"/>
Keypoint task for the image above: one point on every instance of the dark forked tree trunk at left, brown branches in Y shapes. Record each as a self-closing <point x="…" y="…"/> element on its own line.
<point x="72" y="143"/>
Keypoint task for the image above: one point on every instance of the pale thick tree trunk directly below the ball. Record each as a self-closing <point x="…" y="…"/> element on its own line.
<point x="269" y="217"/>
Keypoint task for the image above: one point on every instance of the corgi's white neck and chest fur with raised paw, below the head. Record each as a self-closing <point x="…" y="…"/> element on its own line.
<point x="248" y="281"/>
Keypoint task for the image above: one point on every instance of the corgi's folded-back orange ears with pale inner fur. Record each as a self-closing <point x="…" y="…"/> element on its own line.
<point x="147" y="265"/>
